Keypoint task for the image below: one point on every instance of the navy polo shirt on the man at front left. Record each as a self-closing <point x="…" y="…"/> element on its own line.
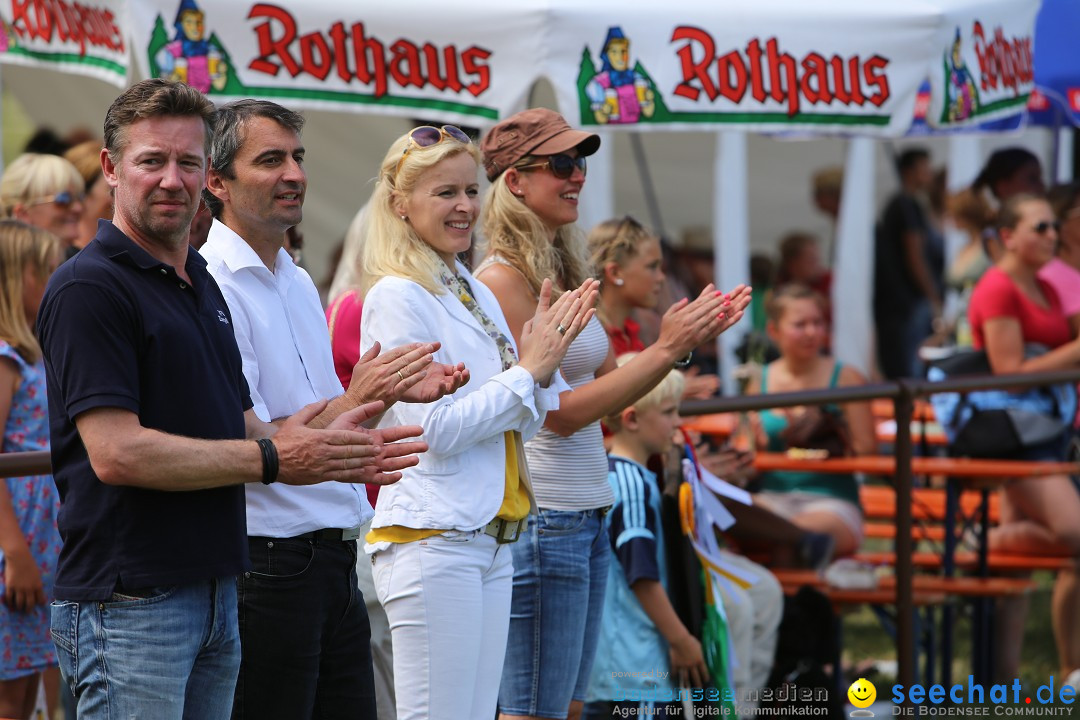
<point x="120" y="330"/>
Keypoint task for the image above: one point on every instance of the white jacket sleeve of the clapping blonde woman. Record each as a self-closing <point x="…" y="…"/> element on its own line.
<point x="398" y="313"/>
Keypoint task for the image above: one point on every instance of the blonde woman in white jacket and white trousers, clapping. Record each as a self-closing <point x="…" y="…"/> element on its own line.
<point x="442" y="565"/>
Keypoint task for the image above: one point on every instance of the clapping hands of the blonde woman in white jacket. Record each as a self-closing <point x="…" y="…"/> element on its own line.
<point x="548" y="336"/>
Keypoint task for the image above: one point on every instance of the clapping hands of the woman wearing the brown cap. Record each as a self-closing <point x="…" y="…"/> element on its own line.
<point x="690" y="324"/>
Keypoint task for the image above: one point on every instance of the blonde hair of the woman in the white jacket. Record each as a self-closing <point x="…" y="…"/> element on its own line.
<point x="391" y="249"/>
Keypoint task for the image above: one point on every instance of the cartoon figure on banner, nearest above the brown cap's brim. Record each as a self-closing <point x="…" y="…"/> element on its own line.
<point x="619" y="94"/>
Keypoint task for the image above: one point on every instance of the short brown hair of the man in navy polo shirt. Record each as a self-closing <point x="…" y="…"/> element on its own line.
<point x="155" y="99"/>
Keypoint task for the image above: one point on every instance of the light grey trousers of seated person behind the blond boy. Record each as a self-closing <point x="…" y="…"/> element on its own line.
<point x="754" y="616"/>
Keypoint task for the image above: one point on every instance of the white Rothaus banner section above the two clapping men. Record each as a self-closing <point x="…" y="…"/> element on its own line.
<point x="407" y="58"/>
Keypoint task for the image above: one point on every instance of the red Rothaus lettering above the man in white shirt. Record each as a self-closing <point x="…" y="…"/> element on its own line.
<point x="353" y="55"/>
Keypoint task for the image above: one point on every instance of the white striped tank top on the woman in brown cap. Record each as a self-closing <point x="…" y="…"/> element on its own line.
<point x="571" y="473"/>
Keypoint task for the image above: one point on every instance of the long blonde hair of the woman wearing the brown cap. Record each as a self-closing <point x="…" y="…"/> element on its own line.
<point x="518" y="235"/>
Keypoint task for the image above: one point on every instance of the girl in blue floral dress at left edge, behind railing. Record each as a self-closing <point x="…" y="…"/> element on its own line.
<point x="30" y="542"/>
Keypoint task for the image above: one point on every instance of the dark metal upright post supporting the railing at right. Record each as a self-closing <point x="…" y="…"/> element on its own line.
<point x="906" y="602"/>
